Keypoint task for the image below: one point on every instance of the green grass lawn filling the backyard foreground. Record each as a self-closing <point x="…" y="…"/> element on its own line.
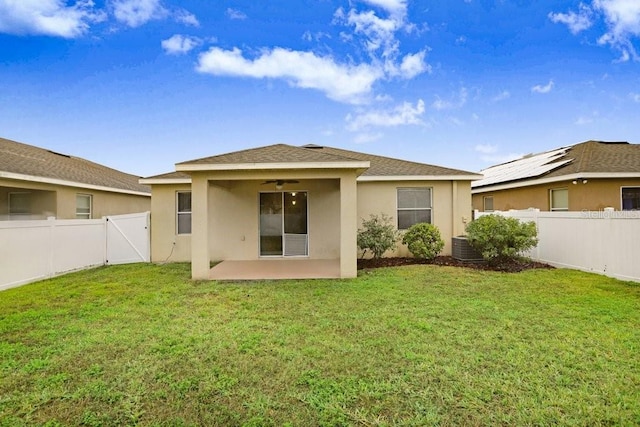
<point x="416" y="345"/>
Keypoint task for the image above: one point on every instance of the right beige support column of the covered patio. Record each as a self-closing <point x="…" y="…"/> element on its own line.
<point x="348" y="227"/>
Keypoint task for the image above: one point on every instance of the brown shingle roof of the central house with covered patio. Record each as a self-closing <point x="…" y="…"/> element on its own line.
<point x="282" y="153"/>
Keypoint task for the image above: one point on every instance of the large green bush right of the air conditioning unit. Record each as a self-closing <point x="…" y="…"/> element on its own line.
<point x="499" y="238"/>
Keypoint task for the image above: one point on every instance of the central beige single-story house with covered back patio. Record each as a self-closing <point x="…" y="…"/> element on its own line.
<point x="287" y="202"/>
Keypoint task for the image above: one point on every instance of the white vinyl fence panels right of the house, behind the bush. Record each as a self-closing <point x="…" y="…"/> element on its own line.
<point x="605" y="242"/>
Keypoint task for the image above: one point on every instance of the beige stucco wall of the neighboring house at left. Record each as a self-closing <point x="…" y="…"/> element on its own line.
<point x="60" y="201"/>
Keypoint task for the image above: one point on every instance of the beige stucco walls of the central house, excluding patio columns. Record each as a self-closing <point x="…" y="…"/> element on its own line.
<point x="233" y="206"/>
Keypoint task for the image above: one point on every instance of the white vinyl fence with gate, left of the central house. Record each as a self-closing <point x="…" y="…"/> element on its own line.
<point x="35" y="250"/>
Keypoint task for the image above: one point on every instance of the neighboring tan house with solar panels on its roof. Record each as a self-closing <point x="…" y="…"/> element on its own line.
<point x="592" y="175"/>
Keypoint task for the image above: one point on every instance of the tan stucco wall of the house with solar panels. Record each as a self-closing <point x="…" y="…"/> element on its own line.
<point x="596" y="194"/>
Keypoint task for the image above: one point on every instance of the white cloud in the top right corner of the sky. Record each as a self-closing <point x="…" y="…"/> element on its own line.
<point x="621" y="19"/>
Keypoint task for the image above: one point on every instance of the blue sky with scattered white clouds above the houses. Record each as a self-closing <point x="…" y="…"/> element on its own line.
<point x="139" y="85"/>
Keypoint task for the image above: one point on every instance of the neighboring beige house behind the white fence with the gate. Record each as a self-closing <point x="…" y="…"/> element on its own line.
<point x="36" y="183"/>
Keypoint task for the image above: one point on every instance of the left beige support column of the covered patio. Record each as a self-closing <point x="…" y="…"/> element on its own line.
<point x="199" y="227"/>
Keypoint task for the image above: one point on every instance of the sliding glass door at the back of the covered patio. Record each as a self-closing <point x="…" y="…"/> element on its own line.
<point x="284" y="224"/>
